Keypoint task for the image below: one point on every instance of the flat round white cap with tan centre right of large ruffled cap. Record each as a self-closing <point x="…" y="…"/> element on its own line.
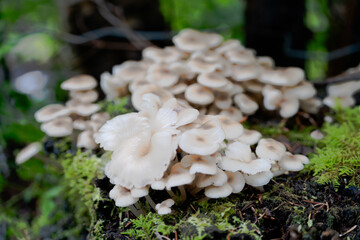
<point x="205" y="140"/>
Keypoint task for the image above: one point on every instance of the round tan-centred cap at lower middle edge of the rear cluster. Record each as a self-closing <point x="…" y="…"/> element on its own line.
<point x="198" y="94"/>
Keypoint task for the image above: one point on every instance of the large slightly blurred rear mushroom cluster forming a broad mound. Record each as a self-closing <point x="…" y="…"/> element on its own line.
<point x="213" y="76"/>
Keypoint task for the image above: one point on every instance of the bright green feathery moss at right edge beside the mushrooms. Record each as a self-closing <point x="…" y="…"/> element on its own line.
<point x="338" y="154"/>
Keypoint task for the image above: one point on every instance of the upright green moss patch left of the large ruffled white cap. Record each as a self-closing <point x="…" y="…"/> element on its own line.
<point x="80" y="172"/>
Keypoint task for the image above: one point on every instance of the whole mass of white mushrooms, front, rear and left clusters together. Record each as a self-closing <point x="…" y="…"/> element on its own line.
<point x="187" y="133"/>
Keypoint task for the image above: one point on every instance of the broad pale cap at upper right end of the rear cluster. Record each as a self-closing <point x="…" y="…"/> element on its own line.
<point x="290" y="76"/>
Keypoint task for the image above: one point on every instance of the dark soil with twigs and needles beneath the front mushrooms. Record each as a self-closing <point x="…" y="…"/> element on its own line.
<point x="289" y="208"/>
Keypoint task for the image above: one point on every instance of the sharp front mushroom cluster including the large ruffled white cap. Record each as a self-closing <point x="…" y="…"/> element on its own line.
<point x="169" y="144"/>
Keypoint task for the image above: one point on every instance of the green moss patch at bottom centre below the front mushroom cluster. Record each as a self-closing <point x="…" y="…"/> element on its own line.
<point x="219" y="216"/>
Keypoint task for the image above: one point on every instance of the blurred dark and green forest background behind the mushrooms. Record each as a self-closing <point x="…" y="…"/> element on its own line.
<point x="43" y="42"/>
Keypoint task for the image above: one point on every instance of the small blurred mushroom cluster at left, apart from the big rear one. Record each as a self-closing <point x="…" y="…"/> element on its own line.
<point x="78" y="116"/>
